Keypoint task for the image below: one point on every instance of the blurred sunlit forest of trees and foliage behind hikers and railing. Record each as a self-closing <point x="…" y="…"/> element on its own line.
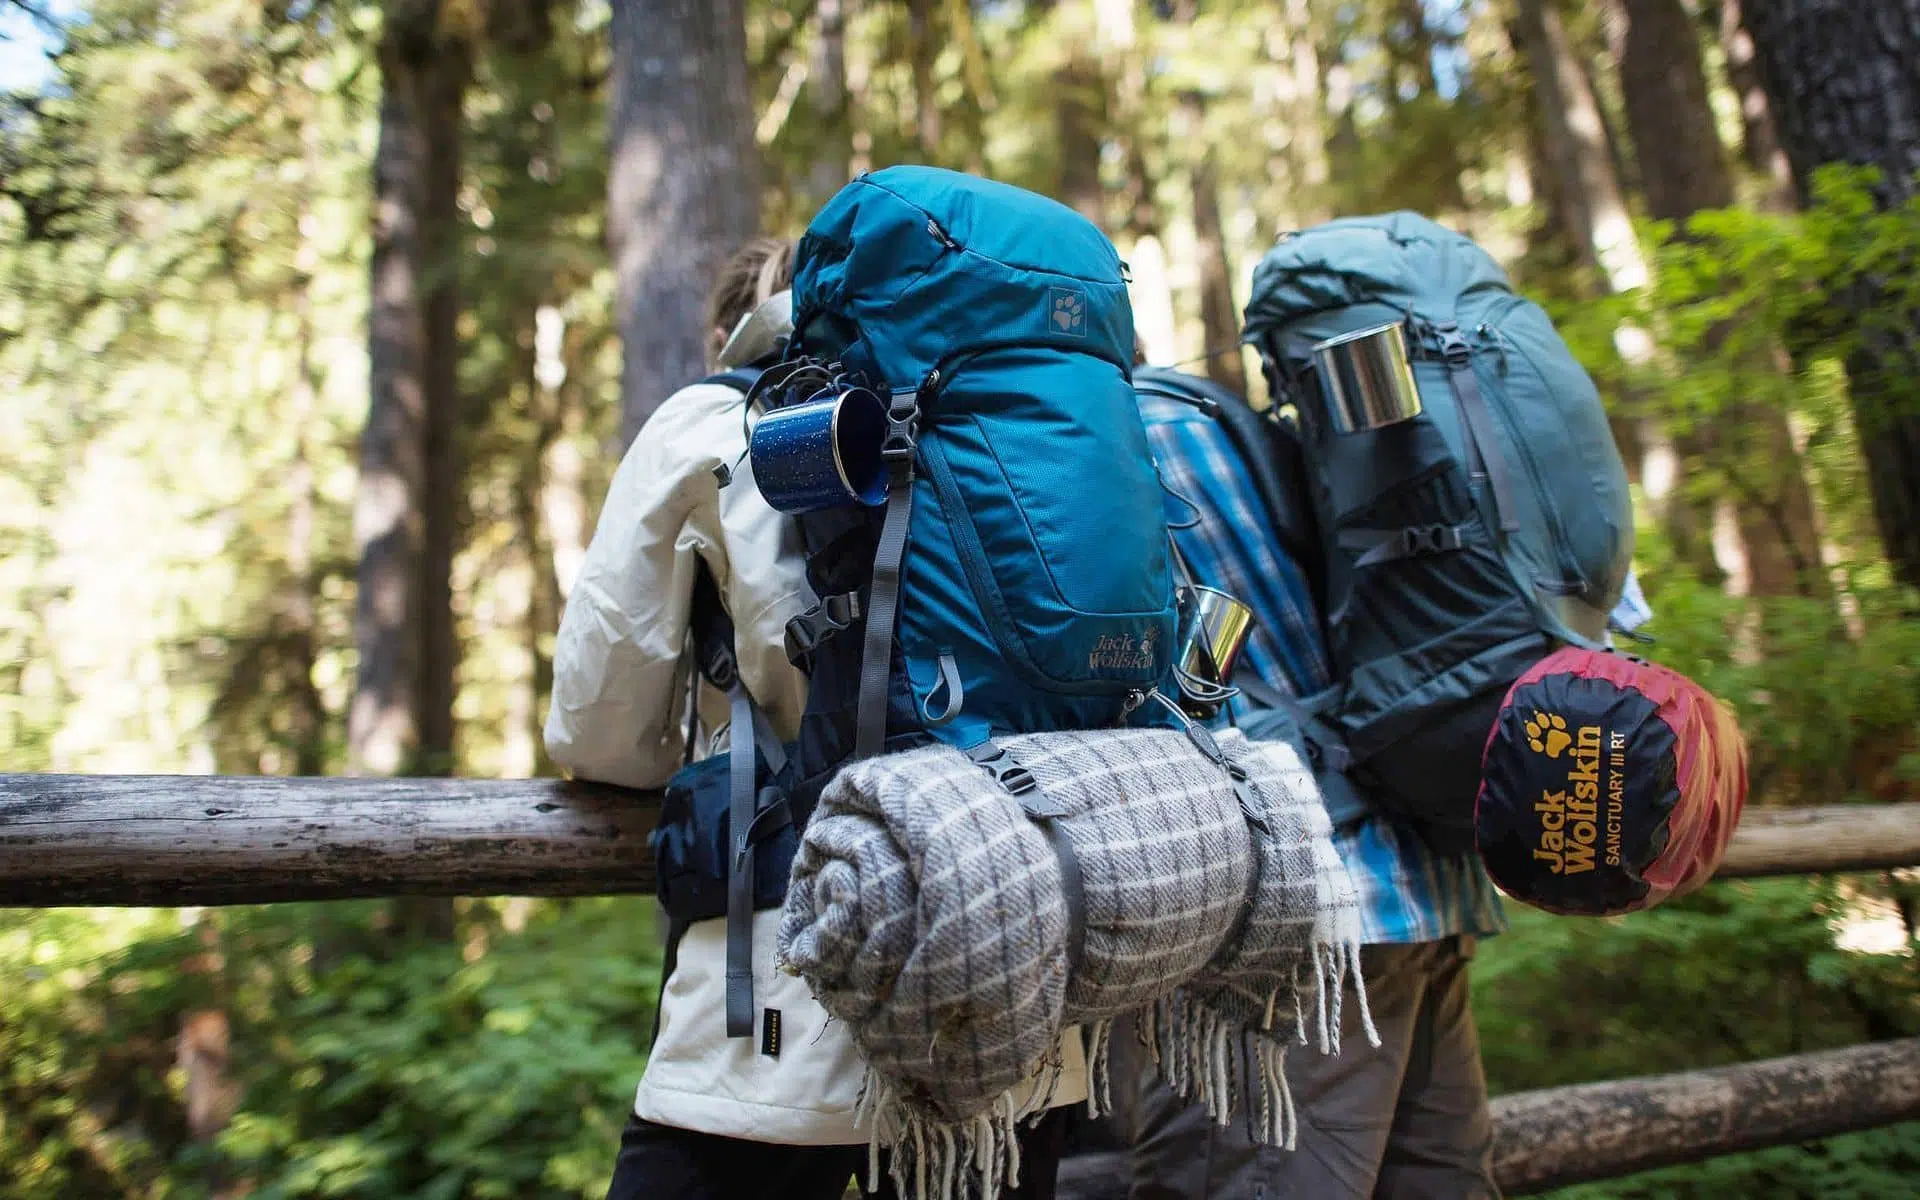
<point x="312" y="325"/>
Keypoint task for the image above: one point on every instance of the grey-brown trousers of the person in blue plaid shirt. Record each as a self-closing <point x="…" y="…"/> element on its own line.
<point x="1403" y="1122"/>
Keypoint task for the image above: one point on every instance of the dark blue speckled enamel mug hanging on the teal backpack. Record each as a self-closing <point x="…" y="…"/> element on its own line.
<point x="823" y="454"/>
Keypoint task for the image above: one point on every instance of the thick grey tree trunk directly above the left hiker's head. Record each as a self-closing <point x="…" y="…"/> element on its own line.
<point x="683" y="189"/>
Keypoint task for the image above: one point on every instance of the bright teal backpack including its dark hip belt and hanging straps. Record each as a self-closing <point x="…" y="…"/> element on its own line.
<point x="1017" y="579"/>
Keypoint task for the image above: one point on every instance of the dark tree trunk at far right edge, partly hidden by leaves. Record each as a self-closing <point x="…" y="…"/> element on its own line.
<point x="1844" y="80"/>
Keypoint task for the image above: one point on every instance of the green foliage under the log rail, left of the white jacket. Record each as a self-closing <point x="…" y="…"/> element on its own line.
<point x="494" y="1068"/>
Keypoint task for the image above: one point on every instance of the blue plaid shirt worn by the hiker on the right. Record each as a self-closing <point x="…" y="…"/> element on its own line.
<point x="1406" y="892"/>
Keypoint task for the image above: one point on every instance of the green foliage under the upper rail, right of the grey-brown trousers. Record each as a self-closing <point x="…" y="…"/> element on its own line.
<point x="1731" y="974"/>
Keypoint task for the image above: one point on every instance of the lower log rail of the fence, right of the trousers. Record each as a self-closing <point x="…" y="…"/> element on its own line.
<point x="1627" y="1126"/>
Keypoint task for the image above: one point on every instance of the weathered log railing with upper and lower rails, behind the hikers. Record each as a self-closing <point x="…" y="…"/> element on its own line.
<point x="251" y="840"/>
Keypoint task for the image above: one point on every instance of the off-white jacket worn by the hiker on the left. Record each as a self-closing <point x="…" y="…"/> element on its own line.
<point x="619" y="686"/>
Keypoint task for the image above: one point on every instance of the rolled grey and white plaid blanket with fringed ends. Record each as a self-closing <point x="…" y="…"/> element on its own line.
<point x="940" y="921"/>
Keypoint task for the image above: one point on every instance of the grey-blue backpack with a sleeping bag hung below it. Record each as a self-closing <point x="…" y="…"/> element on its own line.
<point x="1464" y="544"/>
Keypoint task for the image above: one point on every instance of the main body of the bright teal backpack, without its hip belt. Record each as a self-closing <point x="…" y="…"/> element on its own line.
<point x="1019" y="579"/>
